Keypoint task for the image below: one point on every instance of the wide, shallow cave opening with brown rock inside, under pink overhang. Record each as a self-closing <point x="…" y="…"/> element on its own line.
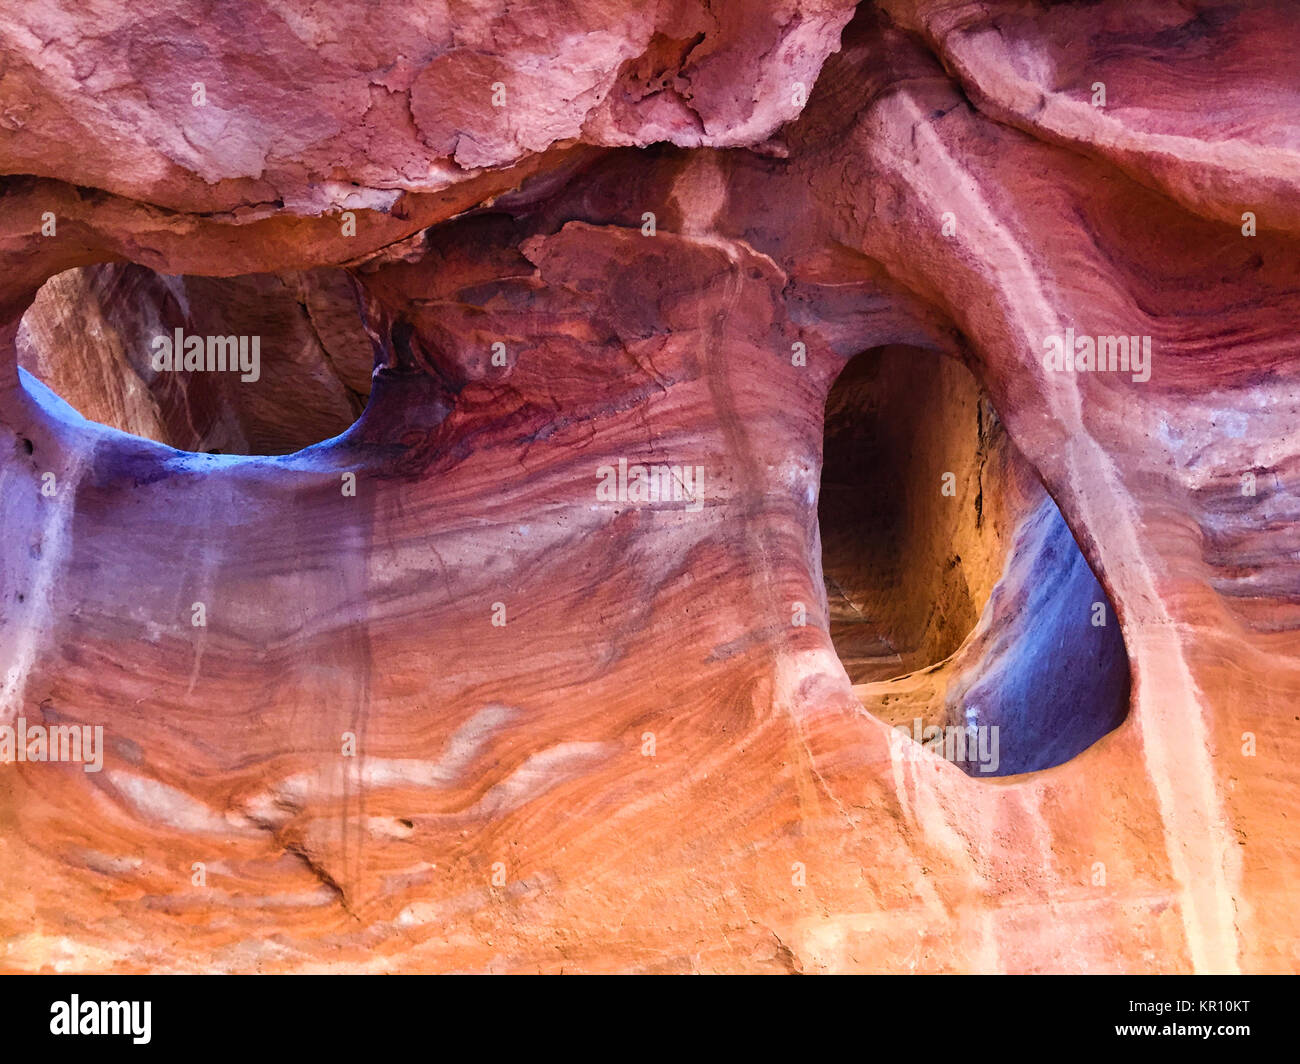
<point x="258" y="365"/>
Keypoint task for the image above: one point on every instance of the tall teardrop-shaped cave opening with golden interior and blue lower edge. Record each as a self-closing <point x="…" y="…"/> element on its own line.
<point x="957" y="598"/>
